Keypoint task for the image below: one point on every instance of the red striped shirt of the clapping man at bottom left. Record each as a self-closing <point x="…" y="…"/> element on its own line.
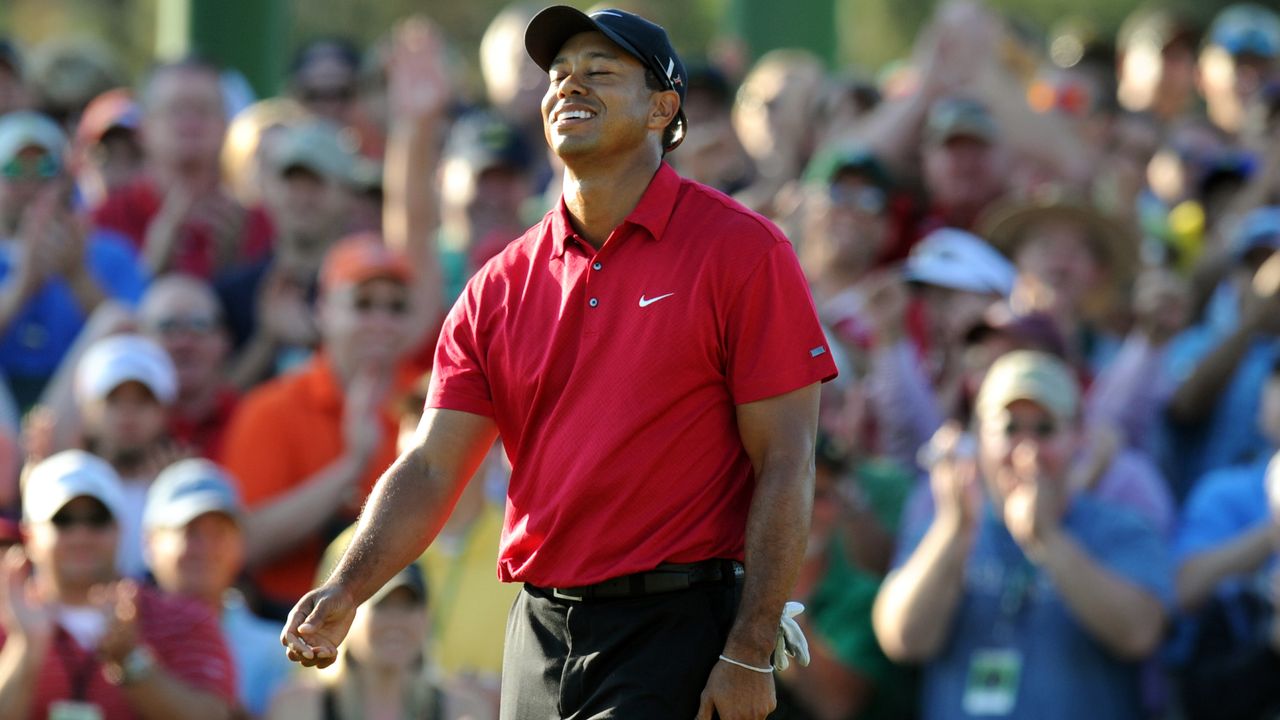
<point x="182" y="635"/>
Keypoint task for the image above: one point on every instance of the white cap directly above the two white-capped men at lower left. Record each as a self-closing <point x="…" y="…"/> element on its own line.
<point x="116" y="361"/>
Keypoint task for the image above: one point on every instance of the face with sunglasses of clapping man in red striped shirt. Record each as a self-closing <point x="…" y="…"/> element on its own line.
<point x="77" y="546"/>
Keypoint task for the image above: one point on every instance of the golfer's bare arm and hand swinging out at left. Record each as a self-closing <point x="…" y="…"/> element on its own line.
<point x="406" y="511"/>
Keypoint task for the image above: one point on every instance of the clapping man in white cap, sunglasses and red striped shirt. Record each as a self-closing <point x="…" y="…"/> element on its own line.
<point x="80" y="642"/>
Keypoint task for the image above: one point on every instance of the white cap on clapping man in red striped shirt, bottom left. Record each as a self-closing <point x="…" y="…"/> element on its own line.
<point x="65" y="477"/>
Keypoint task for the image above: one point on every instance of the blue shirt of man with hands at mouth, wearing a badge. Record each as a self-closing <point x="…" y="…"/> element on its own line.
<point x="1011" y="609"/>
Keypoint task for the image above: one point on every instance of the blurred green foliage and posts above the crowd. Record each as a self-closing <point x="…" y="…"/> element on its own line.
<point x="263" y="34"/>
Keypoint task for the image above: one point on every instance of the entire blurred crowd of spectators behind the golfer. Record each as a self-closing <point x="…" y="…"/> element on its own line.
<point x="1048" y="476"/>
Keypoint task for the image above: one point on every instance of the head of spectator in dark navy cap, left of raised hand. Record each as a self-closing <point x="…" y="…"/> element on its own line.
<point x="323" y="79"/>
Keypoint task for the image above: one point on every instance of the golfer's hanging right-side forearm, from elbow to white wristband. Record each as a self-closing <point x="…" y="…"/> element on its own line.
<point x="778" y="530"/>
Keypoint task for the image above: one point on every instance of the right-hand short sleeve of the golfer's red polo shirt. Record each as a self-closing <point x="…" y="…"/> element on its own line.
<point x="774" y="341"/>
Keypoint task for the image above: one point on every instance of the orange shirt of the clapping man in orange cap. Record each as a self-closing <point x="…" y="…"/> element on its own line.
<point x="284" y="434"/>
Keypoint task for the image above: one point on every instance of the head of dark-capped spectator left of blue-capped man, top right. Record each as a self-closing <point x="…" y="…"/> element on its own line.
<point x="1156" y="62"/>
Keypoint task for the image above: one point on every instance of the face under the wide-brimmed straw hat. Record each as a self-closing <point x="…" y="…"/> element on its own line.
<point x="1058" y="254"/>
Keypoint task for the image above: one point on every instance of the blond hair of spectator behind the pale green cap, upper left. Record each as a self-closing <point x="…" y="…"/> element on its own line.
<point x="252" y="140"/>
